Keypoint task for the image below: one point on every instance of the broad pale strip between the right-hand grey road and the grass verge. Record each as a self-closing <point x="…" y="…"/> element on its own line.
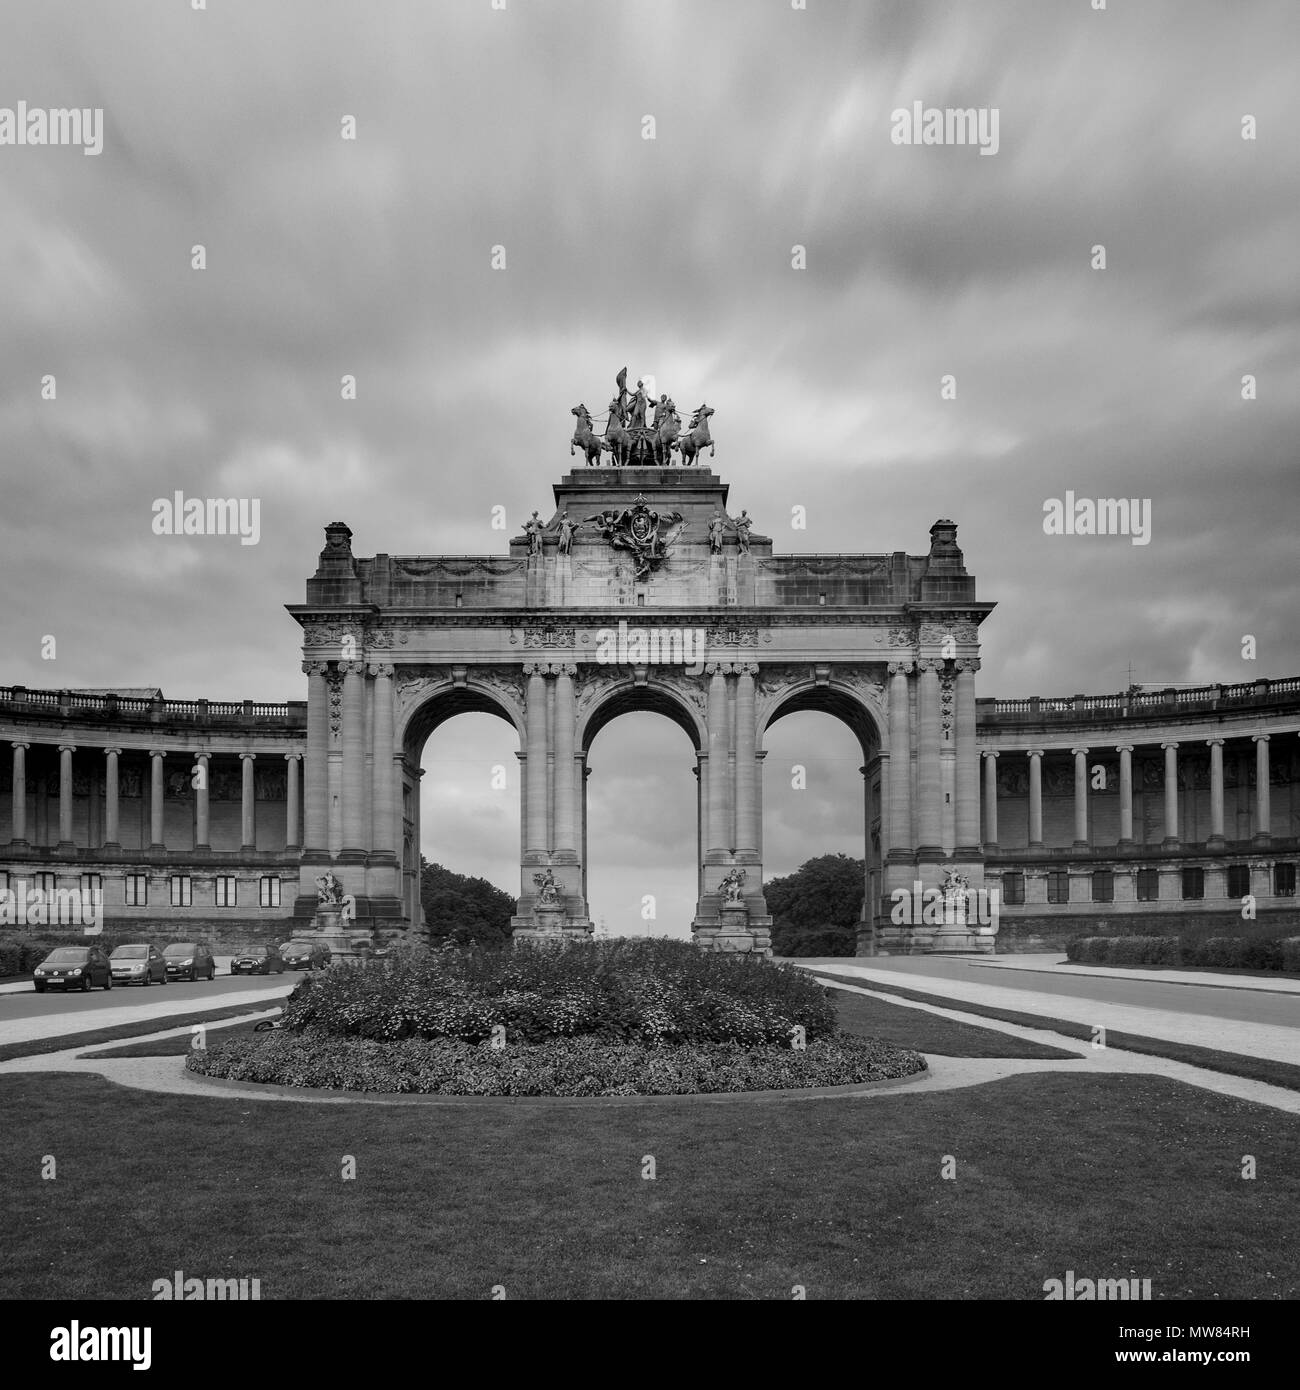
<point x="1265" y="1040"/>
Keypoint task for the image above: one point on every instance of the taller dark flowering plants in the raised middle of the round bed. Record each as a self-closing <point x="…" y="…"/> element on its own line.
<point x="654" y="992"/>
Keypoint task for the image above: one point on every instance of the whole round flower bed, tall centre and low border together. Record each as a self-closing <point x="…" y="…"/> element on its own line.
<point x="644" y="1017"/>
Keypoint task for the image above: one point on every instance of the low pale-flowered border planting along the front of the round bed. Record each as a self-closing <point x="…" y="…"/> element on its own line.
<point x="558" y="1067"/>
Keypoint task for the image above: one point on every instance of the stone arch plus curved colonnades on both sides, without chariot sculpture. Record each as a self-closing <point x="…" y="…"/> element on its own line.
<point x="198" y="817"/>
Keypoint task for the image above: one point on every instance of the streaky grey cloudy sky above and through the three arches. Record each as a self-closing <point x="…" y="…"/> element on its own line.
<point x="523" y="127"/>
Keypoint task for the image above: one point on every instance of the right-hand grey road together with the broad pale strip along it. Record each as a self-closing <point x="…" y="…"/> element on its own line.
<point x="1176" y="1021"/>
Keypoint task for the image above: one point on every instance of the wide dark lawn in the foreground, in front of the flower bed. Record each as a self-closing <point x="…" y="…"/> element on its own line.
<point x="1107" y="1177"/>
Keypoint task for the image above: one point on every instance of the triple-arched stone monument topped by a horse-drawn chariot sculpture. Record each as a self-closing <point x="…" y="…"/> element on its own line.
<point x="642" y="591"/>
